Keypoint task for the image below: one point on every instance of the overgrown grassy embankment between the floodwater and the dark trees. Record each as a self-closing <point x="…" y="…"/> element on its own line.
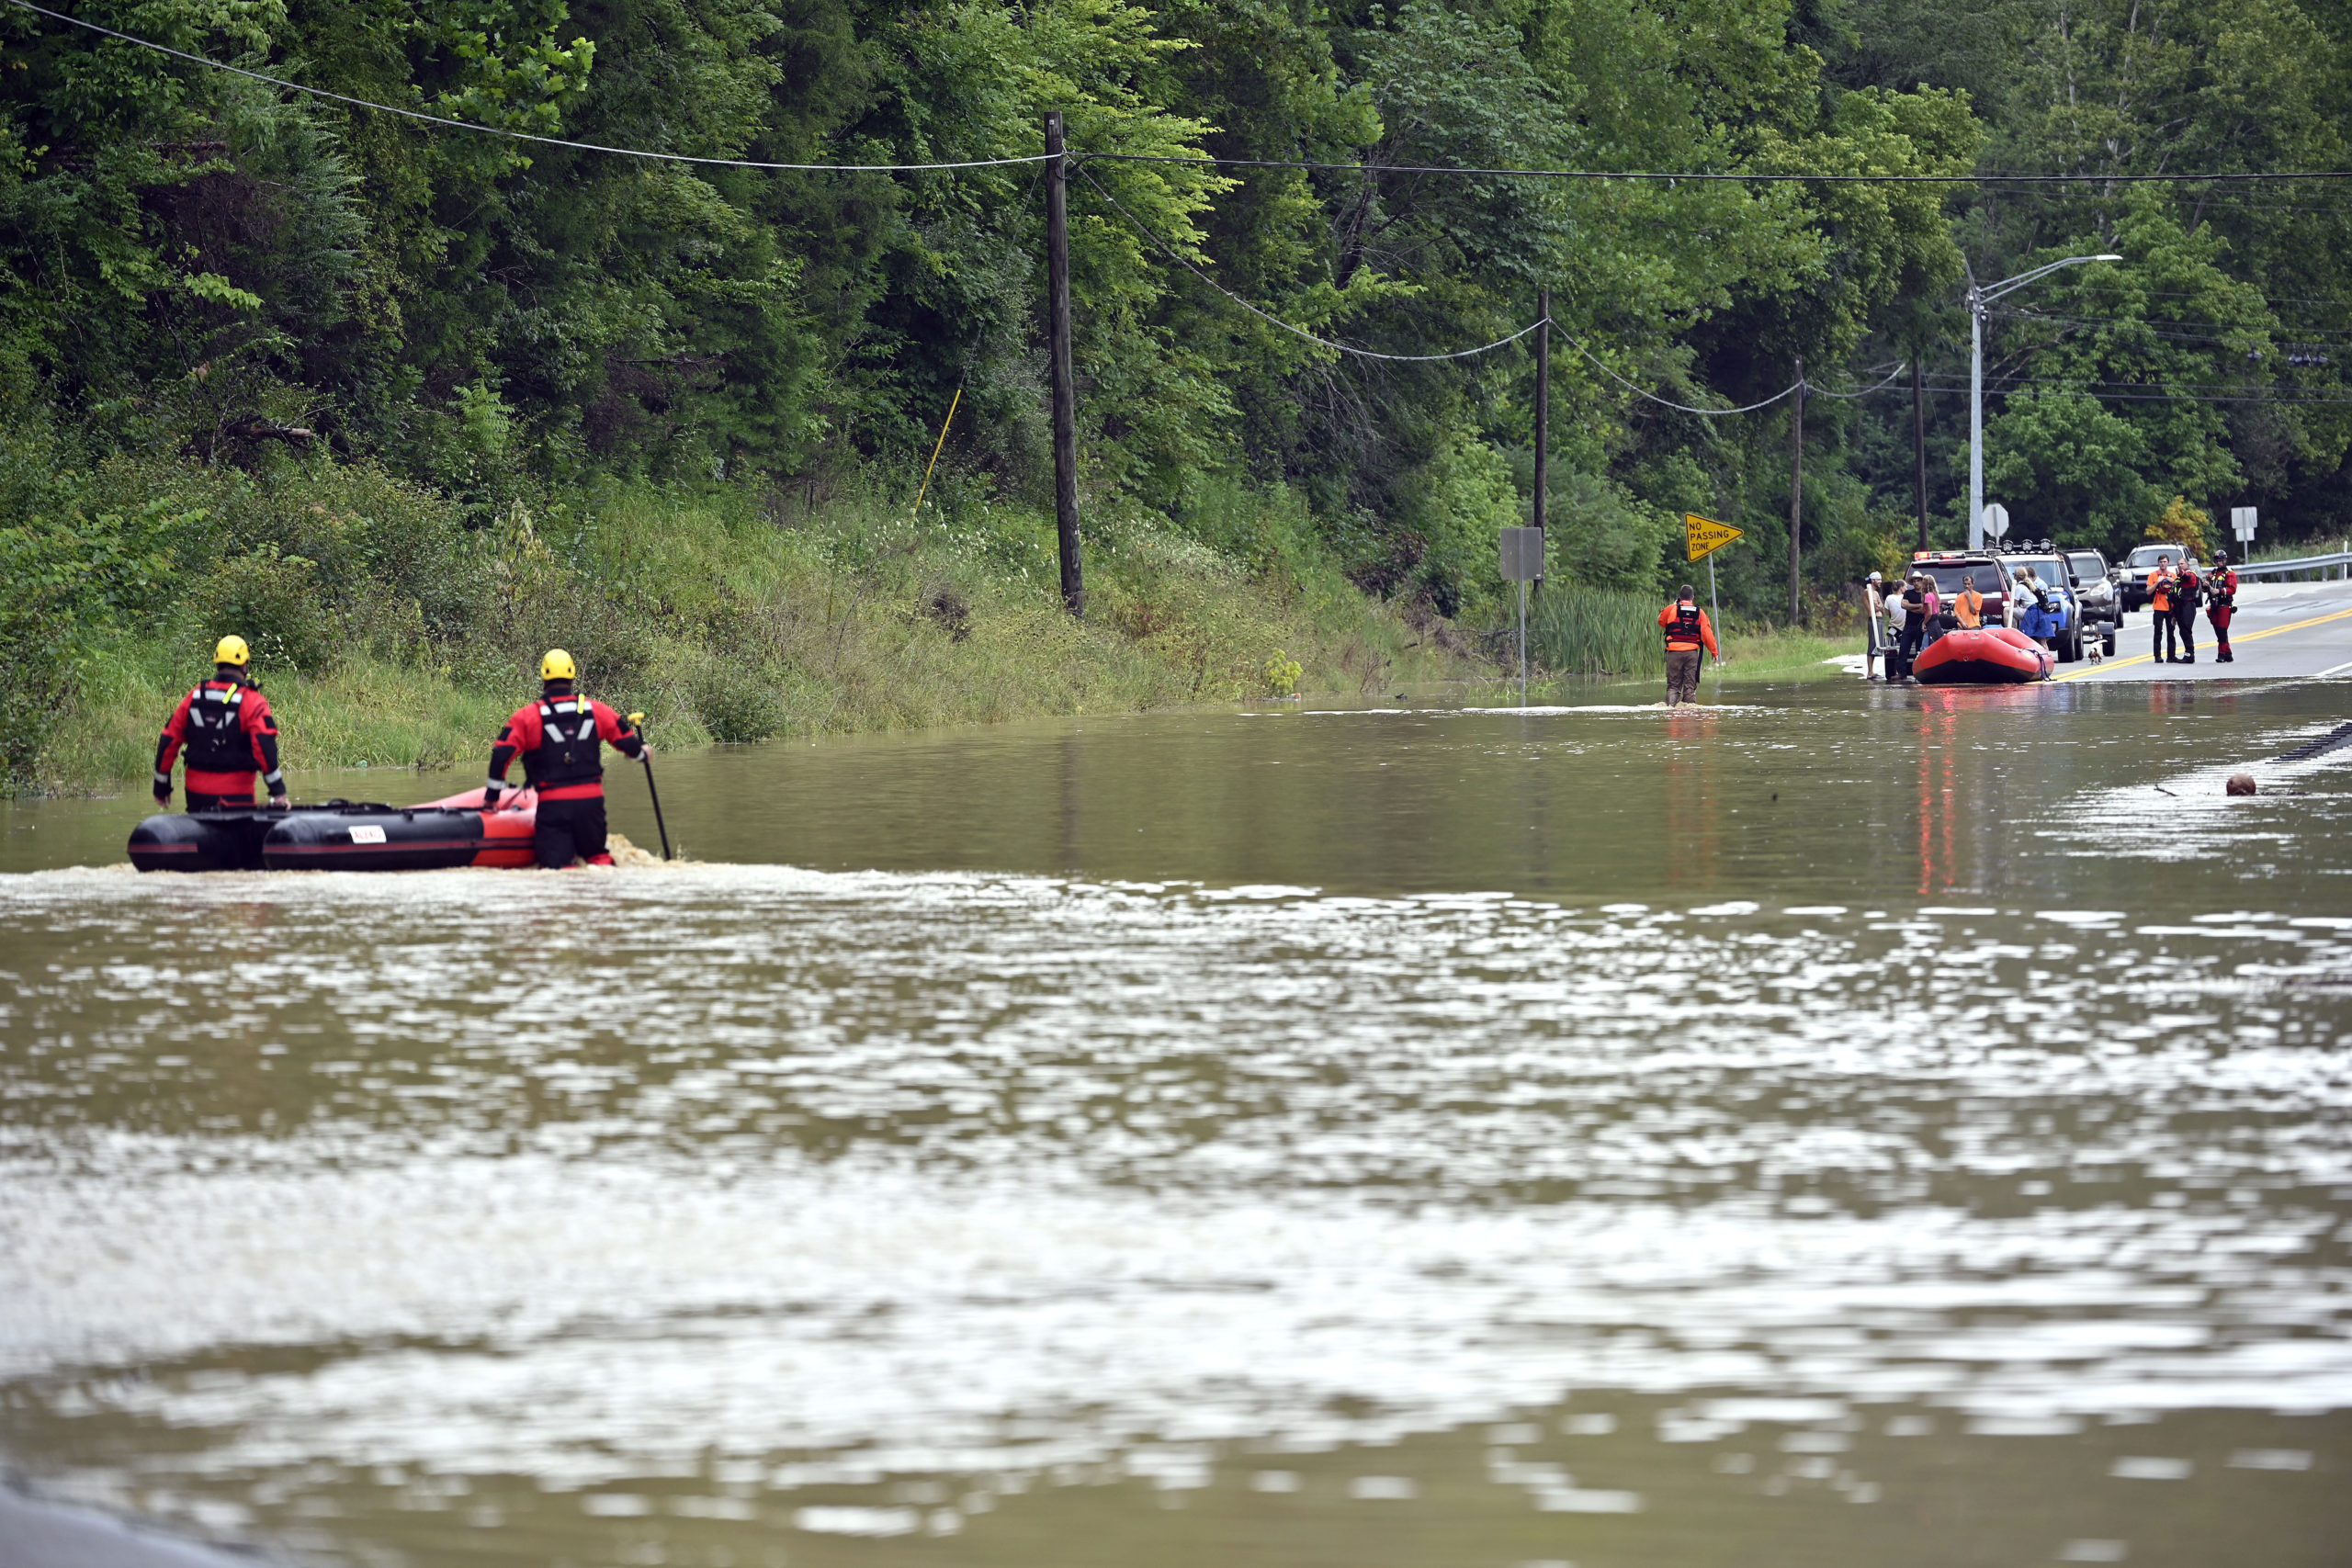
<point x="389" y="634"/>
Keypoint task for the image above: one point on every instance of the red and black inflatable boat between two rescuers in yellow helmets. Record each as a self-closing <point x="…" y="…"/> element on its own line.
<point x="342" y="836"/>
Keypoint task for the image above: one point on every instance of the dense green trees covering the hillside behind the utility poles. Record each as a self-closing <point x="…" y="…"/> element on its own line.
<point x="206" y="269"/>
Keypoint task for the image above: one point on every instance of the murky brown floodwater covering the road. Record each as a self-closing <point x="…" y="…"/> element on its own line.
<point x="1833" y="1130"/>
